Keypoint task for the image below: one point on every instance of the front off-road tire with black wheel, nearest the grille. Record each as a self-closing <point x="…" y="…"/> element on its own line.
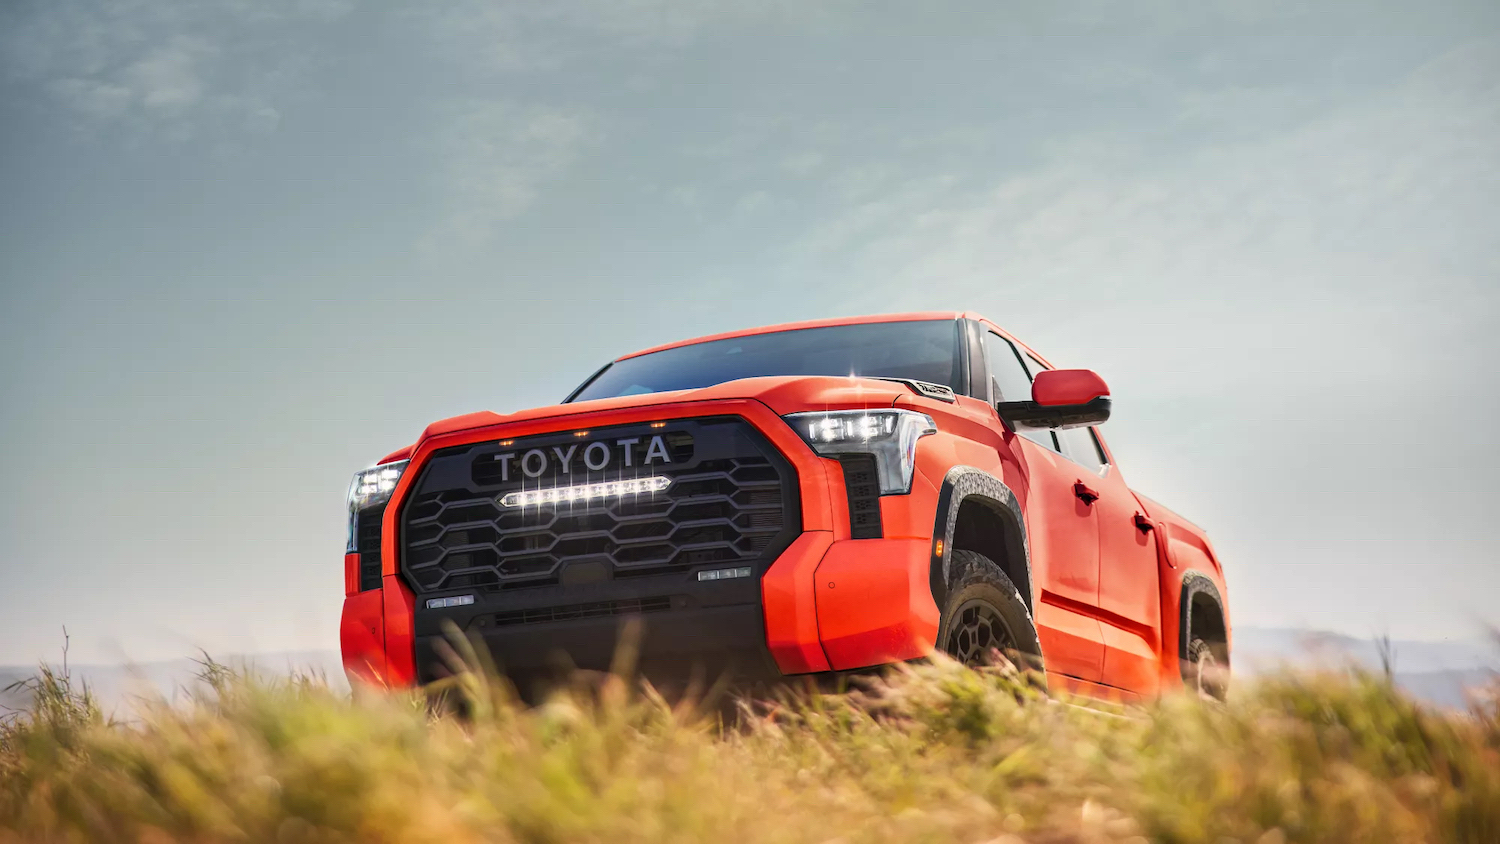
<point x="986" y="614"/>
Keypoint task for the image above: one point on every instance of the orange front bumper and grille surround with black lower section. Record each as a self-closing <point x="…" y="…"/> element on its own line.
<point x="826" y="603"/>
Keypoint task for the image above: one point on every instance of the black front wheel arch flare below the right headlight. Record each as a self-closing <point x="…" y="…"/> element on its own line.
<point x="977" y="512"/>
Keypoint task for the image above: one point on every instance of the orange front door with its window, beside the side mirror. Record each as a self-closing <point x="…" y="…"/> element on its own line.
<point x="1061" y="528"/>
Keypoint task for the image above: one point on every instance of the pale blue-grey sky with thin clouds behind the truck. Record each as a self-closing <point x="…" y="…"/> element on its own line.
<point x="248" y="248"/>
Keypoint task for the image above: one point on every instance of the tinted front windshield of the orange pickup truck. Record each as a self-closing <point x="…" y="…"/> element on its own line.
<point x="923" y="352"/>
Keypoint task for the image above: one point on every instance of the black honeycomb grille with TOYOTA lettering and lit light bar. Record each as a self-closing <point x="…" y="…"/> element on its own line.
<point x="731" y="503"/>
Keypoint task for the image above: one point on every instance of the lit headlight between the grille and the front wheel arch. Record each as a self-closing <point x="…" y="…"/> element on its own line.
<point x="890" y="435"/>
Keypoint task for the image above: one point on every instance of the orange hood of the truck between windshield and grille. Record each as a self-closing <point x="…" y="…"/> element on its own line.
<point x="784" y="395"/>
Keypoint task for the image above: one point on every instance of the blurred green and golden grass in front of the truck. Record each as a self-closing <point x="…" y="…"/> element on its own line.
<point x="929" y="753"/>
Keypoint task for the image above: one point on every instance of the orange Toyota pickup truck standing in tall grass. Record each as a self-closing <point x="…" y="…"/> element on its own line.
<point x="799" y="500"/>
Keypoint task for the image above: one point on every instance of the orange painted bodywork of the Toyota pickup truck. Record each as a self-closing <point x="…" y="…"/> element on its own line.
<point x="1106" y="575"/>
